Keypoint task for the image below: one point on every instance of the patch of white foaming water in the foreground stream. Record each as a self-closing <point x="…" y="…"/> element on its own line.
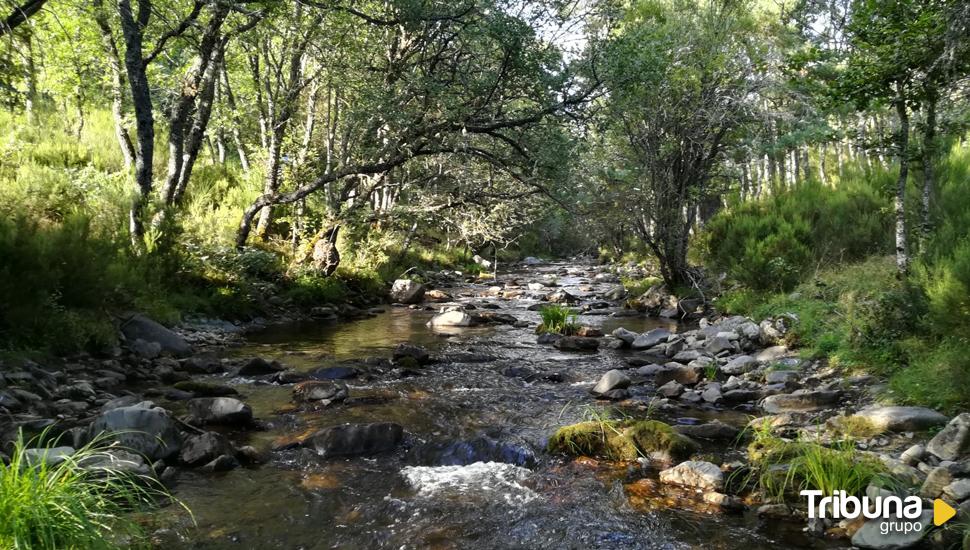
<point x="486" y="480"/>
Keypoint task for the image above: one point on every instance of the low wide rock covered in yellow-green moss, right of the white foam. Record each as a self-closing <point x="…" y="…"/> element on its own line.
<point x="621" y="440"/>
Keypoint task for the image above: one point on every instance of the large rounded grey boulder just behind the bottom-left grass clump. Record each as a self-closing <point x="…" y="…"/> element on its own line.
<point x="147" y="431"/>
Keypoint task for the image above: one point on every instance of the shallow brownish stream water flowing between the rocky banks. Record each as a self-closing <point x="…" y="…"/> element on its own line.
<point x="472" y="473"/>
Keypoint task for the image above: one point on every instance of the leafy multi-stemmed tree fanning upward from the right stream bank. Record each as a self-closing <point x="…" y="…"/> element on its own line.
<point x="681" y="82"/>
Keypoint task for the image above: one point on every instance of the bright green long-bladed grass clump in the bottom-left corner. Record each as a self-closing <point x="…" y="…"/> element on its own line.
<point x="65" y="506"/>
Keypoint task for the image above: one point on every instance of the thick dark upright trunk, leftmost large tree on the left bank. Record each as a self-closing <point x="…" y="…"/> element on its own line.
<point x="131" y="29"/>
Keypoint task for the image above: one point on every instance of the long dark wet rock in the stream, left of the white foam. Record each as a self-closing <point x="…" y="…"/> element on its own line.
<point x="356" y="439"/>
